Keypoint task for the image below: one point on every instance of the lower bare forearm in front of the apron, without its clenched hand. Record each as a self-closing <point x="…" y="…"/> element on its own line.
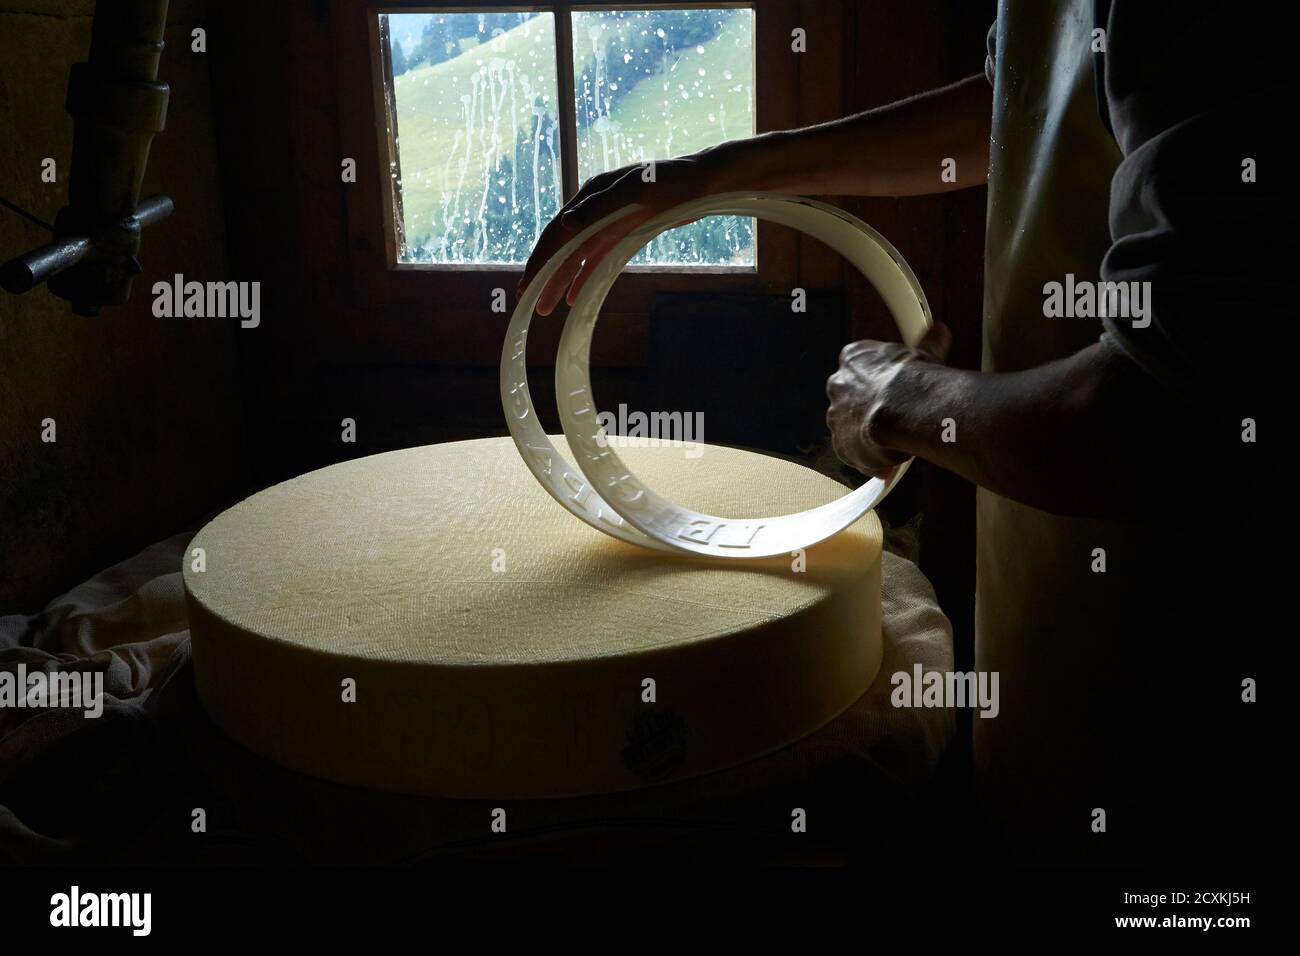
<point x="1090" y="435"/>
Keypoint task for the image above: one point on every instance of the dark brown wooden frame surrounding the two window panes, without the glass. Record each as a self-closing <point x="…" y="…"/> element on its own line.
<point x="443" y="313"/>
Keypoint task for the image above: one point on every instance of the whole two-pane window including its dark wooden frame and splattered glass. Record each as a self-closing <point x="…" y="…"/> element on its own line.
<point x="450" y="312"/>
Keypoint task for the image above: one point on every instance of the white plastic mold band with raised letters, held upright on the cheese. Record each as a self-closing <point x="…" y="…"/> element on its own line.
<point x="625" y="508"/>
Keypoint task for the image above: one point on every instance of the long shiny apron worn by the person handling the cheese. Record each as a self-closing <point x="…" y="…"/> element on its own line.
<point x="1103" y="677"/>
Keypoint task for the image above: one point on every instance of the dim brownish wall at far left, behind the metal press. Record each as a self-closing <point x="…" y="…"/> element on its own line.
<point x="148" y="412"/>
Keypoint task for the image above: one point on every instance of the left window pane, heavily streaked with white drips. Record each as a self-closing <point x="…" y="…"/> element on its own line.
<point x="476" y="105"/>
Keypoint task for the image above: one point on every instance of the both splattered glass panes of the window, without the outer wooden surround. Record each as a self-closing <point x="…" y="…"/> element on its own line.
<point x="495" y="118"/>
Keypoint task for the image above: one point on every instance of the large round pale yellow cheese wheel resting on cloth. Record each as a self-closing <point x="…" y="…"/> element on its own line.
<point x="430" y="621"/>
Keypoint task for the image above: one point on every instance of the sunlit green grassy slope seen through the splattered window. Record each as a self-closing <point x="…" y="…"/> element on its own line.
<point x="431" y="113"/>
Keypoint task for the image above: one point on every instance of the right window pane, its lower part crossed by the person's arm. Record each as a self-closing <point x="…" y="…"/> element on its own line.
<point x="657" y="84"/>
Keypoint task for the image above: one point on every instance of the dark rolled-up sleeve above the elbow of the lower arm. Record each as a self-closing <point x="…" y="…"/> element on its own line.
<point x="1202" y="100"/>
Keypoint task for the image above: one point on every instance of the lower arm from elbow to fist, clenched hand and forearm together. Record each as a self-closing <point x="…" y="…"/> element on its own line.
<point x="1087" y="435"/>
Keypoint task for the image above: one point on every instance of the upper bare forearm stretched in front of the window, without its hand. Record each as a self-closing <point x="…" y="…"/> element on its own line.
<point x="896" y="150"/>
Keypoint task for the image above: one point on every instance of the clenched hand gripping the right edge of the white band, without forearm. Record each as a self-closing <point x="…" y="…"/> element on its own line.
<point x="870" y="384"/>
